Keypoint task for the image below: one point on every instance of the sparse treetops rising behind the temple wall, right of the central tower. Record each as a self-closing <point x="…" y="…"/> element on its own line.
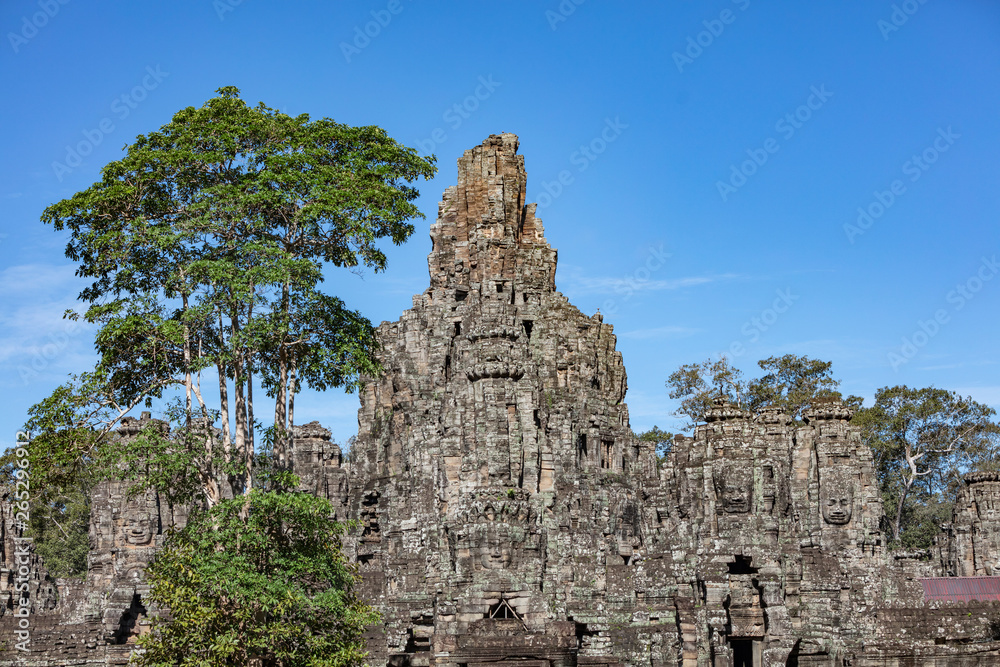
<point x="790" y="382"/>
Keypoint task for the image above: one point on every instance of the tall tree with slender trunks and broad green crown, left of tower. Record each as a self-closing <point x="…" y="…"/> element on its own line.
<point x="207" y="245"/>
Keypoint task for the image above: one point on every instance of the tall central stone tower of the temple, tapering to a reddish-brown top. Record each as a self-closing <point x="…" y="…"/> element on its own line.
<point x="498" y="468"/>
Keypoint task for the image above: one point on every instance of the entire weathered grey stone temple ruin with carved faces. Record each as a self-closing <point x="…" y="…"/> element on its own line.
<point x="510" y="518"/>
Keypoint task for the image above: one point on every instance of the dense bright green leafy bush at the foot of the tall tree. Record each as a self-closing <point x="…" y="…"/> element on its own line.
<point x="258" y="578"/>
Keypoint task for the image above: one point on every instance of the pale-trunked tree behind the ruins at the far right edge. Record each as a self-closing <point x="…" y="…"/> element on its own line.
<point x="923" y="441"/>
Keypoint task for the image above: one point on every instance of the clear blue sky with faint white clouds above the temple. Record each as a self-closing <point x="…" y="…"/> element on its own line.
<point x="817" y="178"/>
